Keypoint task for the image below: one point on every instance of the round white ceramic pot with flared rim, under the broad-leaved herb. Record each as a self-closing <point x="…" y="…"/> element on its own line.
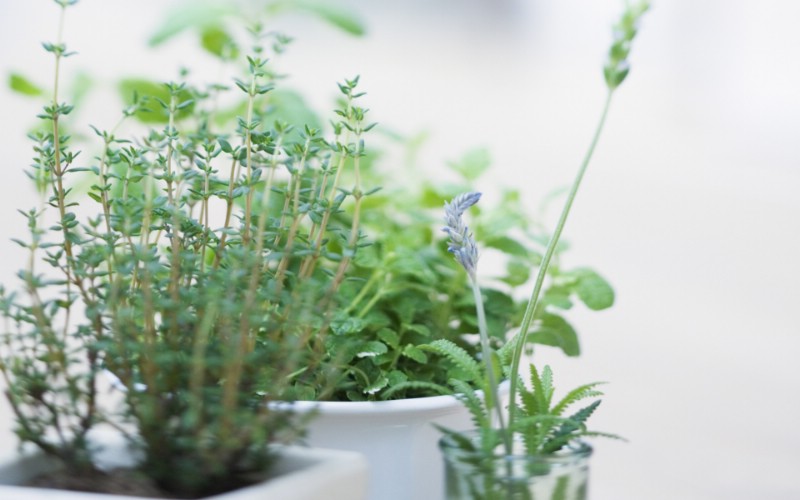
<point x="397" y="437"/>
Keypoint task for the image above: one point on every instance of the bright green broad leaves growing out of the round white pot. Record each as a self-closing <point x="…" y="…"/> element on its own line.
<point x="406" y="291"/>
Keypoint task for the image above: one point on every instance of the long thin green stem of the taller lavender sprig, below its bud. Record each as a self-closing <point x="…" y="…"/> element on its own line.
<point x="527" y="319"/>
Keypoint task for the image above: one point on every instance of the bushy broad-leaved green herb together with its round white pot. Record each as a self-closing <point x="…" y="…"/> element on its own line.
<point x="413" y="294"/>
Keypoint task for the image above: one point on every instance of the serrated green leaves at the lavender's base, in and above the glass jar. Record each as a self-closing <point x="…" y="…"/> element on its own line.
<point x="545" y="429"/>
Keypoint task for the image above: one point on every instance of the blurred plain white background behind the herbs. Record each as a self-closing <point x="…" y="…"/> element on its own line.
<point x="690" y="208"/>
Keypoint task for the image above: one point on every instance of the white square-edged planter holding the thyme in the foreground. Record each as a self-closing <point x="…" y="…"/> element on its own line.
<point x="299" y="474"/>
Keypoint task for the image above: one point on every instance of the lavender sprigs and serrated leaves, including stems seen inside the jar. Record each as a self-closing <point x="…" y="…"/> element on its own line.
<point x="532" y="417"/>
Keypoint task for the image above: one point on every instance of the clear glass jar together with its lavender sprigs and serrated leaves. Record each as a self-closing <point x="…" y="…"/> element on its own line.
<point x="533" y="450"/>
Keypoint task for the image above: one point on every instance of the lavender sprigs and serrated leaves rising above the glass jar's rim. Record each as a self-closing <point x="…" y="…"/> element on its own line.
<point x="541" y="424"/>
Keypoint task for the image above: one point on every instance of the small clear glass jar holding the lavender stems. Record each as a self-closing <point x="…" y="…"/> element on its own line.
<point x="476" y="475"/>
